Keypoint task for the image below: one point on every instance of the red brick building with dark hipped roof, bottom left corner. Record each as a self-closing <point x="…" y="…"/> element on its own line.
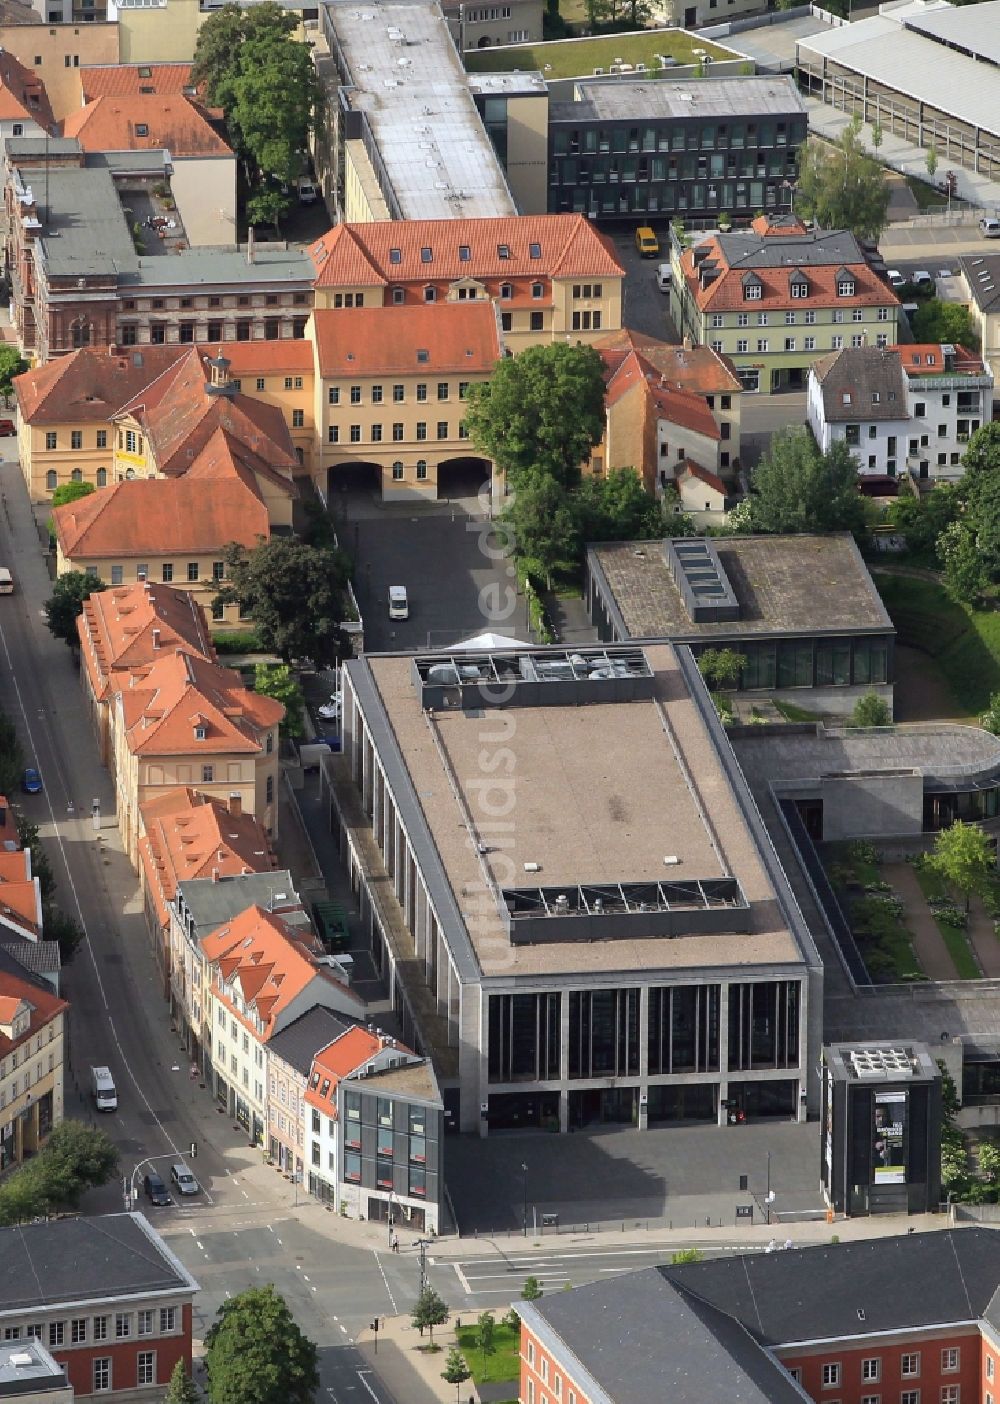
<point x="107" y="1299"/>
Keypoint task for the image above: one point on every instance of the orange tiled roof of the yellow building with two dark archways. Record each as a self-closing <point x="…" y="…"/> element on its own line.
<point x="442" y="338"/>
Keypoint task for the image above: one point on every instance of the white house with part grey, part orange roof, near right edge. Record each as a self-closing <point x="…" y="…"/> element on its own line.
<point x="909" y="409"/>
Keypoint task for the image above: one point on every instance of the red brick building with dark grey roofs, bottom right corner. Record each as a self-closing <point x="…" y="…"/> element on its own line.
<point x="904" y="1320"/>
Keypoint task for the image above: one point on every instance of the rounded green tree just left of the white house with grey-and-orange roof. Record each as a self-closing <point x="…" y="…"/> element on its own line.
<point x="798" y="489"/>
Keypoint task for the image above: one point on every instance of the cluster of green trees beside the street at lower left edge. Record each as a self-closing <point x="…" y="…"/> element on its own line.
<point x="72" y="1160"/>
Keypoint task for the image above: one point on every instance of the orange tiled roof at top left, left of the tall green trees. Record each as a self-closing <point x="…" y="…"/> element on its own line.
<point x="143" y="123"/>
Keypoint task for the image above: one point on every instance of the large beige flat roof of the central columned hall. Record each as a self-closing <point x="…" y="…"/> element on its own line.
<point x="640" y="781"/>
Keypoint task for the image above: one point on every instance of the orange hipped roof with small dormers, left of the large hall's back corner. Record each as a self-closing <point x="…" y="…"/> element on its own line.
<point x="183" y="694"/>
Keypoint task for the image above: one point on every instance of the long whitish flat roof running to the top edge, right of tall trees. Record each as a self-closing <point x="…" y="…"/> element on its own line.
<point x="412" y="88"/>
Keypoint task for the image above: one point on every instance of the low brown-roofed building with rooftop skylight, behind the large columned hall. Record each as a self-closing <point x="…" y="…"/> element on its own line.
<point x="803" y="610"/>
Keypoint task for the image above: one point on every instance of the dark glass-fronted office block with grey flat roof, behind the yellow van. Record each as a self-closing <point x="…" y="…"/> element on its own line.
<point x="686" y="151"/>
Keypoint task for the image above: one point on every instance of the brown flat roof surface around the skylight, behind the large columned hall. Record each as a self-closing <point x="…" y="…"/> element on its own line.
<point x="784" y="585"/>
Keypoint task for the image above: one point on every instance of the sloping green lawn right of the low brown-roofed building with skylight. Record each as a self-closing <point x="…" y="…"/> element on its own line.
<point x="964" y="642"/>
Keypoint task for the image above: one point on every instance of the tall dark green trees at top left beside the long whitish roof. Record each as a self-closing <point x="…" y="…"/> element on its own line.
<point x="266" y="84"/>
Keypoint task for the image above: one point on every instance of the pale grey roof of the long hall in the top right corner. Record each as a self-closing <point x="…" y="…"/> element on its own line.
<point x="915" y="65"/>
